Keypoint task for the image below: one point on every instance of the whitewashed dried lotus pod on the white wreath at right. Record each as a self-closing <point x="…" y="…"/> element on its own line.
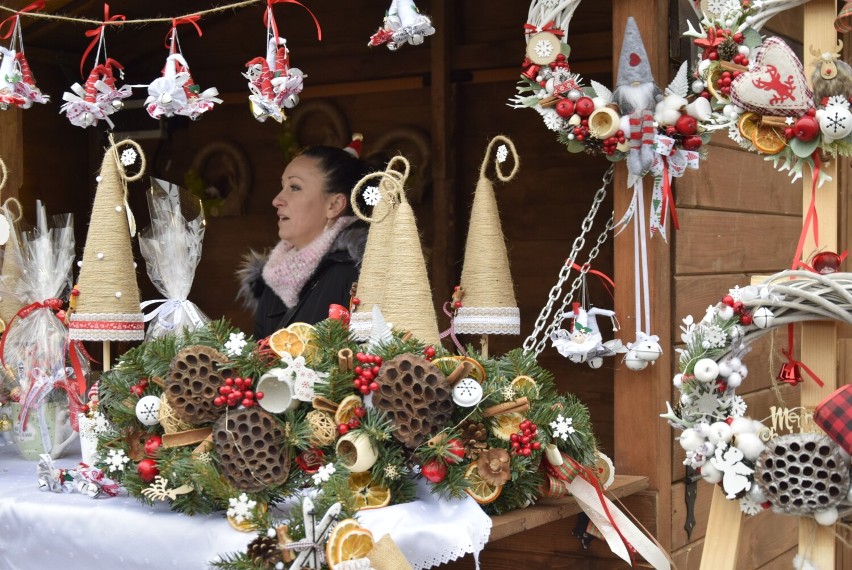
<point x="802" y="473"/>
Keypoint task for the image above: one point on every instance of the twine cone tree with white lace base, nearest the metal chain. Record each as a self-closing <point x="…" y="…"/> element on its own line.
<point x="488" y="305"/>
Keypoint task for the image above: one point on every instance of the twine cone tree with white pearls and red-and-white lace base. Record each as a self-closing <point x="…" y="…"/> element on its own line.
<point x="107" y="305"/>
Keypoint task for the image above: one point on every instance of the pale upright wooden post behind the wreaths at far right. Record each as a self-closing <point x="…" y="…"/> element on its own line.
<point x="819" y="340"/>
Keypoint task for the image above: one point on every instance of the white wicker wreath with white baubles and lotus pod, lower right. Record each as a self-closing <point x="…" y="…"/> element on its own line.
<point x="804" y="474"/>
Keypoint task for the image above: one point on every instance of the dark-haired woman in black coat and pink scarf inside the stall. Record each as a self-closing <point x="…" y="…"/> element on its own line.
<point x="321" y="242"/>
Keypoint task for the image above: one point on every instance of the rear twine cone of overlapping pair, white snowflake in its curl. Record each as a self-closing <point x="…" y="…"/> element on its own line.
<point x="382" y="193"/>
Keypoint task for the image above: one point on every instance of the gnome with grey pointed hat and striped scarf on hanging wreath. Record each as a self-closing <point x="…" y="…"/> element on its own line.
<point x="636" y="95"/>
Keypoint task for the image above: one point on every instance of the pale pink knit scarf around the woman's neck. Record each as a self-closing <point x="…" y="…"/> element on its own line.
<point x="288" y="269"/>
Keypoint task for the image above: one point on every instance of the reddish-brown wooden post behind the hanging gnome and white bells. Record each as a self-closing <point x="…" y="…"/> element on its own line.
<point x="640" y="396"/>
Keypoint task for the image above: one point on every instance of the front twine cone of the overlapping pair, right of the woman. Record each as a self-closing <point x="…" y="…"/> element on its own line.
<point x="407" y="300"/>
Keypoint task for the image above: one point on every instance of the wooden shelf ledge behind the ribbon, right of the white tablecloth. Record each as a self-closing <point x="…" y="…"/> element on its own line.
<point x="545" y="512"/>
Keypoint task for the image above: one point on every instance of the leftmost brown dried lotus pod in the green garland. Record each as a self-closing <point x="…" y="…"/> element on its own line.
<point x="195" y="375"/>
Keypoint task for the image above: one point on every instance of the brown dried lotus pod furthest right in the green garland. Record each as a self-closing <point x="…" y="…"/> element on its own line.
<point x="416" y="397"/>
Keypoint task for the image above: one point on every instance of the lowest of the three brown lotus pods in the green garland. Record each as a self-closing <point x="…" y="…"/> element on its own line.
<point x="251" y="445"/>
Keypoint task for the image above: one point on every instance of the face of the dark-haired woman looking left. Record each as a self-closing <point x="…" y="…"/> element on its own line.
<point x="303" y="207"/>
